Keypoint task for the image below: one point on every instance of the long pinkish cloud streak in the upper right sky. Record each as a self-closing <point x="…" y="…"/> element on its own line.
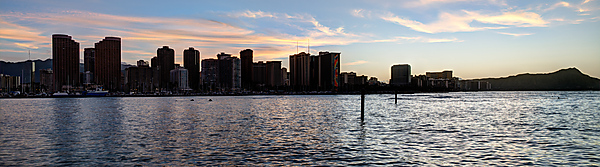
<point x="448" y="22"/>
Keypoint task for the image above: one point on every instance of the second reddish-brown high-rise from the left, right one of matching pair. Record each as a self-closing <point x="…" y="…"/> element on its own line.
<point x="107" y="63"/>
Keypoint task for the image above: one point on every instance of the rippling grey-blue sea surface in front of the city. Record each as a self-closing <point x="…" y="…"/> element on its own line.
<point x="465" y="128"/>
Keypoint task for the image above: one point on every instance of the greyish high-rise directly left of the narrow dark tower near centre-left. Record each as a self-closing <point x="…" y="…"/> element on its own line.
<point x="229" y="71"/>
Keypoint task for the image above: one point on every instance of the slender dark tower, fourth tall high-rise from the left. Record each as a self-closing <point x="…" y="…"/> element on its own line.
<point x="191" y="62"/>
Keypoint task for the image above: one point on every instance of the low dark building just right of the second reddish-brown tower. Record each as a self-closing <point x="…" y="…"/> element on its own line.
<point x="139" y="79"/>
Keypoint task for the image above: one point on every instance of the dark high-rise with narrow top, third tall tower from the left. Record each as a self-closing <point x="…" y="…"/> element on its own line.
<point x="166" y="63"/>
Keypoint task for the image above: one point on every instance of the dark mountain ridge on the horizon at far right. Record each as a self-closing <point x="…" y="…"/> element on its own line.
<point x="564" y="79"/>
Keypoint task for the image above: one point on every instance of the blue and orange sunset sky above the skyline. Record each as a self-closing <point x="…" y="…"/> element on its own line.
<point x="473" y="38"/>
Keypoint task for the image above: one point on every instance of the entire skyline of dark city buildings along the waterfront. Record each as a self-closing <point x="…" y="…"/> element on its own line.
<point x="102" y="68"/>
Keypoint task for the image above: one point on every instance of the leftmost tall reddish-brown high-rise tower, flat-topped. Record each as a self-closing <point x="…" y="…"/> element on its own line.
<point x="65" y="62"/>
